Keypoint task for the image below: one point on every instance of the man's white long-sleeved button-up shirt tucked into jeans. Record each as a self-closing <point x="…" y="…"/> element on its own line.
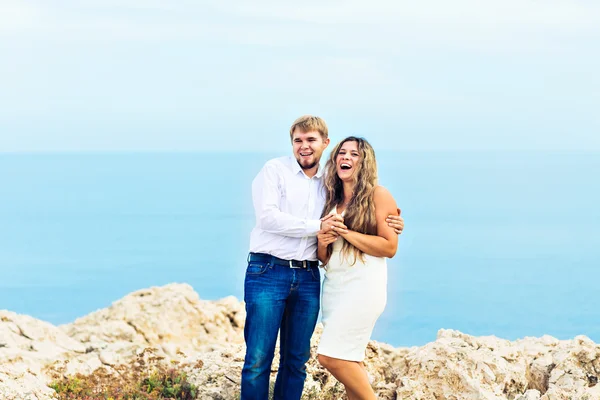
<point x="288" y="207"/>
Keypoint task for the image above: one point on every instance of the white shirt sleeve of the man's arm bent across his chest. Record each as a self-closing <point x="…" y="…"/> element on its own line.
<point x="266" y="196"/>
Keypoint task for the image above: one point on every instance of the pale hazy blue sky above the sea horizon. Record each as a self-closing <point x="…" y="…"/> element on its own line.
<point x="217" y="75"/>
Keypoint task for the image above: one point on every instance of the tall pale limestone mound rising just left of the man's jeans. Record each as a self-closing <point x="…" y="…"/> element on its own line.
<point x="168" y="317"/>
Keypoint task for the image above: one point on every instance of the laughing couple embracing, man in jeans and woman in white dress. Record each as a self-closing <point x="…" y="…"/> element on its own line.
<point x="308" y="216"/>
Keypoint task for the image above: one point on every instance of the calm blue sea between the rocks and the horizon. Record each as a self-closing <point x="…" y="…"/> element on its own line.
<point x="495" y="243"/>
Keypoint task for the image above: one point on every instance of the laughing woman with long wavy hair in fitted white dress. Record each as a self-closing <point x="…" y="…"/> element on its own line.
<point x="354" y="289"/>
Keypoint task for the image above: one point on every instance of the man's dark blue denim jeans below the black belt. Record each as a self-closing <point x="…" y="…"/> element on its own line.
<point x="284" y="299"/>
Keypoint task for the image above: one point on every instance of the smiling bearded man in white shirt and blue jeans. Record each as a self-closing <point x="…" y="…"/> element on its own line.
<point x="282" y="285"/>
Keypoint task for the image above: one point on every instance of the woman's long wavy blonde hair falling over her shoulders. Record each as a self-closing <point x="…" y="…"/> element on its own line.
<point x="360" y="211"/>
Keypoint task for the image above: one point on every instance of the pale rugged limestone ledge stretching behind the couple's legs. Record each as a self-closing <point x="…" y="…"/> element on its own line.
<point x="206" y="339"/>
